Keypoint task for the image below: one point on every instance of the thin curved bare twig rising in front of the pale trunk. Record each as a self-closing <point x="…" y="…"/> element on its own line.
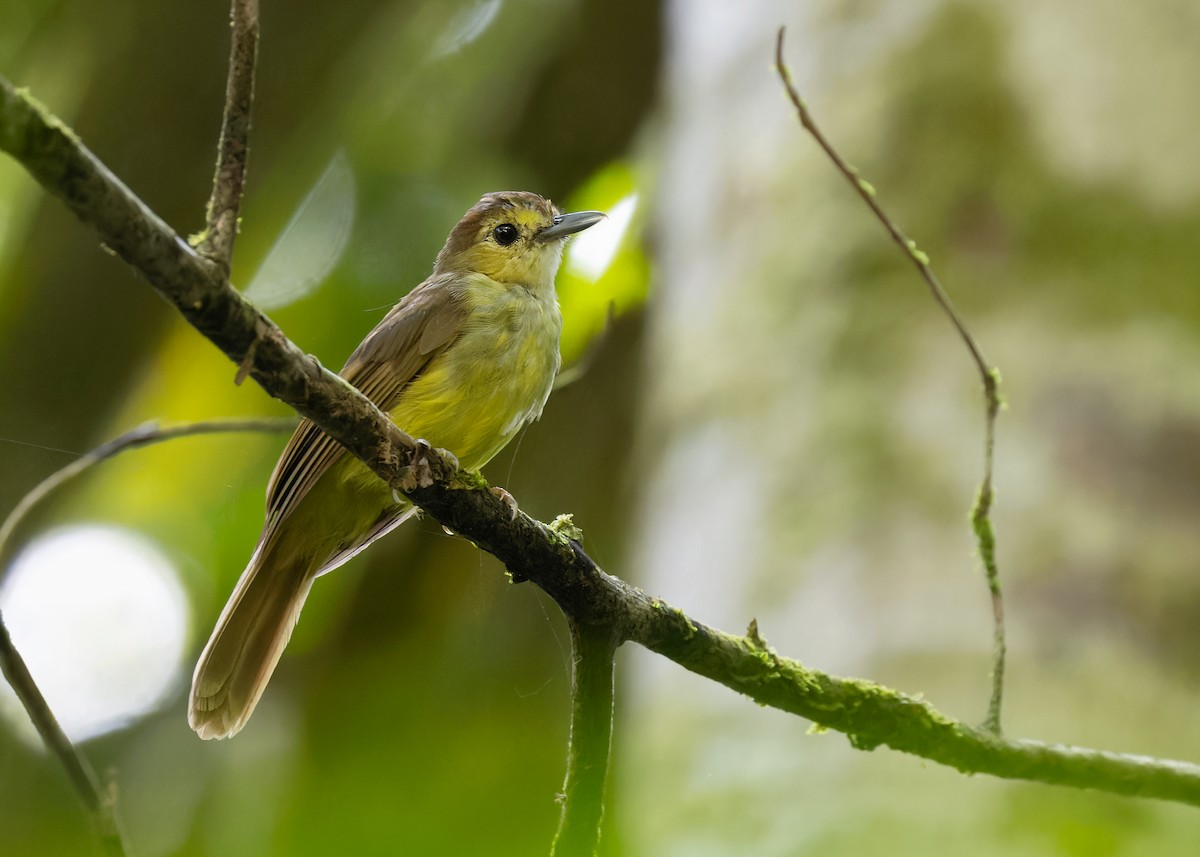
<point x="989" y="376"/>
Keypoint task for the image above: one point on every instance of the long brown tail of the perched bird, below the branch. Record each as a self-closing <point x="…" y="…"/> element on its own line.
<point x="247" y="645"/>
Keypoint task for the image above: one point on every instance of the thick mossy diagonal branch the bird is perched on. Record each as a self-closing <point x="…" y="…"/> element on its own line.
<point x="549" y="555"/>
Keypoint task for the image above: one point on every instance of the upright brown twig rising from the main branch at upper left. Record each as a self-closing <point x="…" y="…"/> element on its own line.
<point x="233" y="151"/>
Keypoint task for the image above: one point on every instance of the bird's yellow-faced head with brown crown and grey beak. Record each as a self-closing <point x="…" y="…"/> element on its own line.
<point x="514" y="238"/>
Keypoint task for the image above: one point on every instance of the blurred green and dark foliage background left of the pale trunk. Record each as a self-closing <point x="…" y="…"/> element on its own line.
<point x="424" y="706"/>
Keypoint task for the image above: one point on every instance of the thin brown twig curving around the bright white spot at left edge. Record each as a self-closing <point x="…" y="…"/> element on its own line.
<point x="100" y="801"/>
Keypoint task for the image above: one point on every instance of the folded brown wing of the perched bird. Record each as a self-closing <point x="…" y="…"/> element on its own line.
<point x="419" y="328"/>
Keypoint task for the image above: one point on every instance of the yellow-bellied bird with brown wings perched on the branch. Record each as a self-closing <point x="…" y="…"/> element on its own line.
<point x="464" y="362"/>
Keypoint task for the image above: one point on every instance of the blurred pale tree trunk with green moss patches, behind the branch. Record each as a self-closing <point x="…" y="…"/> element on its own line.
<point x="813" y="428"/>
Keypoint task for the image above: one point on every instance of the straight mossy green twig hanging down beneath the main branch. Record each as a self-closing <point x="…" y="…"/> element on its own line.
<point x="595" y="651"/>
